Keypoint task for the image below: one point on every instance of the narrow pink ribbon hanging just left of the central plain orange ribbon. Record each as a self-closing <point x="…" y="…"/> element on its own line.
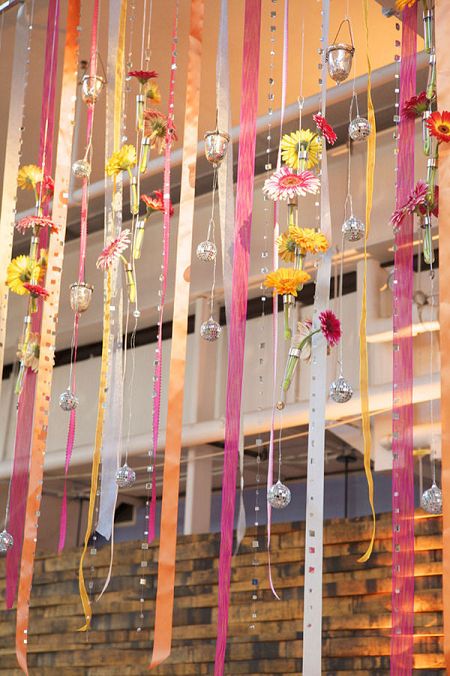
<point x="157" y="374"/>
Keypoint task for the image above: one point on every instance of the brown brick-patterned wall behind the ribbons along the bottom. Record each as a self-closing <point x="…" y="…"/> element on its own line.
<point x="356" y="608"/>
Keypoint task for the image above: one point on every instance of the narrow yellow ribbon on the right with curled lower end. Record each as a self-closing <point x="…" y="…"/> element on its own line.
<point x="363" y="359"/>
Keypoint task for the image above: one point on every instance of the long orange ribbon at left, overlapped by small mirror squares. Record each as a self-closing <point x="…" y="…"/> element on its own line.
<point x="49" y="319"/>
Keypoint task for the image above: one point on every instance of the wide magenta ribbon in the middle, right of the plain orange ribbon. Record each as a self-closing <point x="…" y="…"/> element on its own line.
<point x="242" y="234"/>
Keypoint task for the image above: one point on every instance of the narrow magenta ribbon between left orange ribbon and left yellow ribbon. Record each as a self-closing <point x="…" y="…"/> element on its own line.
<point x="81" y="265"/>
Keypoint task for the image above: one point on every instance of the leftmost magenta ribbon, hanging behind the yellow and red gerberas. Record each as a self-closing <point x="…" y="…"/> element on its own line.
<point x="24" y="424"/>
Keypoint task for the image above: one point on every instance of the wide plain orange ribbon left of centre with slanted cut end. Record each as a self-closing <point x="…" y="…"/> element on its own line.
<point x="171" y="479"/>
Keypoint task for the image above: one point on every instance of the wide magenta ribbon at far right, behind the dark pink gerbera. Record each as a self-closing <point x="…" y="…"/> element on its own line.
<point x="402" y="417"/>
